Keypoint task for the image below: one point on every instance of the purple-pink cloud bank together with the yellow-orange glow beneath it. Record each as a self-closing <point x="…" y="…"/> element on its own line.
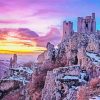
<point x="26" y="41"/>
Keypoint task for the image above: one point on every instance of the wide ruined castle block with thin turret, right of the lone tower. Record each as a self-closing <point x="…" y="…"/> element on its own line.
<point x="87" y="24"/>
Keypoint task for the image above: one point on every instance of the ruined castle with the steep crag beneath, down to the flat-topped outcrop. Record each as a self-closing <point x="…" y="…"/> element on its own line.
<point x="74" y="46"/>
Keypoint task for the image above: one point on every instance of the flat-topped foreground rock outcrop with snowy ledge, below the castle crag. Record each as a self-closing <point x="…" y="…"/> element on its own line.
<point x="62" y="83"/>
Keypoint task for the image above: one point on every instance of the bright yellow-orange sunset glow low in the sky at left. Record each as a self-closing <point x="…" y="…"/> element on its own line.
<point x="12" y="43"/>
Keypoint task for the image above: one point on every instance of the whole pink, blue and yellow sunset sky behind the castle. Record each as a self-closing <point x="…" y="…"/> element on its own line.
<point x="45" y="17"/>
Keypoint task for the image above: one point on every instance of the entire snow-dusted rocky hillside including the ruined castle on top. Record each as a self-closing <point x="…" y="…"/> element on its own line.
<point x="68" y="71"/>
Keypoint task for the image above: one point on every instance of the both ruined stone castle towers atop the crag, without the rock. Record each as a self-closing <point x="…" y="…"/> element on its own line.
<point x="84" y="25"/>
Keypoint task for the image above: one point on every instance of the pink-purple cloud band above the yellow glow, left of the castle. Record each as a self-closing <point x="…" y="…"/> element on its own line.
<point x="27" y="38"/>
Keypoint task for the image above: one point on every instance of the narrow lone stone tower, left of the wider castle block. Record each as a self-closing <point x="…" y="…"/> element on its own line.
<point x="67" y="29"/>
